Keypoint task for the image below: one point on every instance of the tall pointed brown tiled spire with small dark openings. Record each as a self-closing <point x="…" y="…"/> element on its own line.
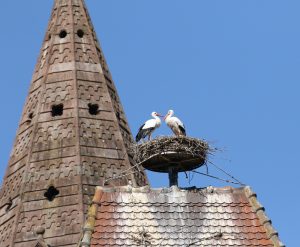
<point x="73" y="135"/>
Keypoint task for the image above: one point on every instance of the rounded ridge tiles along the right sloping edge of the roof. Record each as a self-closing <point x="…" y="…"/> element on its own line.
<point x="259" y="210"/>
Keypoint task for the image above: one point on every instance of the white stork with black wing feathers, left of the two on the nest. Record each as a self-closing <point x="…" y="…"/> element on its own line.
<point x="148" y="127"/>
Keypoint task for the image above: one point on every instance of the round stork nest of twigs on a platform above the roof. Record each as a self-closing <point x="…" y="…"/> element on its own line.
<point x="177" y="153"/>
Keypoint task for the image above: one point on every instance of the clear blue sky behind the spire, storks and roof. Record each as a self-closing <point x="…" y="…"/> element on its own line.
<point x="229" y="69"/>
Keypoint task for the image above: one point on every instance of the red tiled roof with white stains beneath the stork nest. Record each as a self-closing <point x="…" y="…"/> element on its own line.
<point x="126" y="216"/>
